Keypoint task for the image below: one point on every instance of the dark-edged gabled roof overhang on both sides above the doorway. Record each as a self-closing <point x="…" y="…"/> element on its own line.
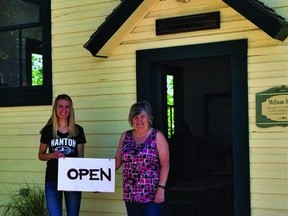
<point x="126" y="15"/>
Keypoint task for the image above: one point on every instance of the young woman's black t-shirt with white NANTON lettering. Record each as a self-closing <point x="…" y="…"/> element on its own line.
<point x="67" y="146"/>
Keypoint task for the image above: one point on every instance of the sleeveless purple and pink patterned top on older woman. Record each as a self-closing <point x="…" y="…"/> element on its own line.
<point x="141" y="168"/>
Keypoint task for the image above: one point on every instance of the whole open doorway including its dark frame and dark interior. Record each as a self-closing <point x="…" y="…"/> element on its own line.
<point x="211" y="174"/>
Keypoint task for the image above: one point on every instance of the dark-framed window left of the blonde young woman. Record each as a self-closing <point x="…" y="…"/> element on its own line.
<point x="25" y="53"/>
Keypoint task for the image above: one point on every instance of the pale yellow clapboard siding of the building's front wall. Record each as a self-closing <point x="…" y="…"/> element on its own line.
<point x="104" y="89"/>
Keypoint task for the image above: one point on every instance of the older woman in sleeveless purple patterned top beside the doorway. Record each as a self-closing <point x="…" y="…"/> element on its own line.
<point x="144" y="153"/>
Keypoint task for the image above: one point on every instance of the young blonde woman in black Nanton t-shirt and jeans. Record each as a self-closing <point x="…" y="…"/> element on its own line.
<point x="60" y="137"/>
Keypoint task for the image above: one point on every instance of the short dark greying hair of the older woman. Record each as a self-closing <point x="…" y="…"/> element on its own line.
<point x="137" y="108"/>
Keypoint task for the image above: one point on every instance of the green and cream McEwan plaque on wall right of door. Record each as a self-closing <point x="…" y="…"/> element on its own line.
<point x="272" y="107"/>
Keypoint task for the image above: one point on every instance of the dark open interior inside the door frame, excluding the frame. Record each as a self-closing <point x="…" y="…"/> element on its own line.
<point x="201" y="177"/>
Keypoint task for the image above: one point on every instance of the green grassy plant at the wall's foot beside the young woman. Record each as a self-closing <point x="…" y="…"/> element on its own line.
<point x="30" y="201"/>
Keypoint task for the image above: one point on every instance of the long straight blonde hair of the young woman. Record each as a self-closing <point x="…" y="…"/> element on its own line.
<point x="53" y="120"/>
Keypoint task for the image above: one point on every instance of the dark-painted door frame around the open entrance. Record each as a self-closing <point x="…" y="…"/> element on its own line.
<point x="149" y="87"/>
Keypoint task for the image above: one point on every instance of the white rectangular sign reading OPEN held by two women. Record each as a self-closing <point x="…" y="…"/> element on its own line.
<point x="86" y="174"/>
